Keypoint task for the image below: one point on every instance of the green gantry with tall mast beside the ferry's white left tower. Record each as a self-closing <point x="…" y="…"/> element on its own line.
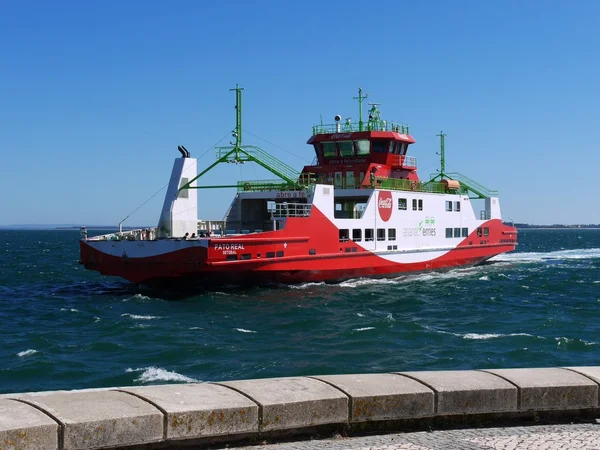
<point x="239" y="154"/>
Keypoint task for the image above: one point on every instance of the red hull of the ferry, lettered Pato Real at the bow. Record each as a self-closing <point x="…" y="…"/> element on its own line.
<point x="334" y="261"/>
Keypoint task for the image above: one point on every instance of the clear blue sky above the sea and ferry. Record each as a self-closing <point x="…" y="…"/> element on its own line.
<point x="96" y="96"/>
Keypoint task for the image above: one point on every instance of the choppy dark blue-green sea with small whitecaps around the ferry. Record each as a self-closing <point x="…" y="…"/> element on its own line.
<point x="63" y="327"/>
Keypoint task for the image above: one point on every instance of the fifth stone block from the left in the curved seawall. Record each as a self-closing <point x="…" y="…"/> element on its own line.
<point x="383" y="396"/>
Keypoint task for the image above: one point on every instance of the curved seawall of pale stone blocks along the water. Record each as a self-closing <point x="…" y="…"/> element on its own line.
<point x="171" y="416"/>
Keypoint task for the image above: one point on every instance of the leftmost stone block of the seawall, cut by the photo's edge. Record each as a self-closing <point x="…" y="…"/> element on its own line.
<point x="26" y="428"/>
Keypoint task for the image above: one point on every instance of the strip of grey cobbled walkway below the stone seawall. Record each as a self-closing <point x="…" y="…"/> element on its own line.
<point x="542" y="437"/>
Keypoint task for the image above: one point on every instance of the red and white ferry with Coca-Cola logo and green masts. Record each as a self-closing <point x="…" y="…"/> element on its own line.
<point x="359" y="210"/>
